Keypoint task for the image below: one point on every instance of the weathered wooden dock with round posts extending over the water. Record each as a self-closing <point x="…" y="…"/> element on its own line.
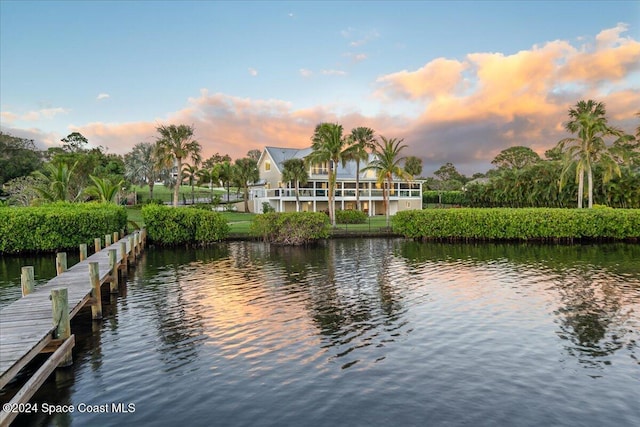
<point x="36" y="324"/>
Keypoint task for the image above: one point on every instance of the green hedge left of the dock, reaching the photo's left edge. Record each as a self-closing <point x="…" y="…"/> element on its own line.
<point x="58" y="226"/>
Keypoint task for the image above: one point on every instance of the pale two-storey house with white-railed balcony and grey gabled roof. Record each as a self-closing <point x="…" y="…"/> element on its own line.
<point x="314" y="194"/>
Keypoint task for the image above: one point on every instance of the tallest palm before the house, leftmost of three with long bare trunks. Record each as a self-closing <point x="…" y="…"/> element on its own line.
<point x="327" y="145"/>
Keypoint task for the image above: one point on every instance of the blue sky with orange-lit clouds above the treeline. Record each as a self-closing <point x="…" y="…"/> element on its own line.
<point x="458" y="81"/>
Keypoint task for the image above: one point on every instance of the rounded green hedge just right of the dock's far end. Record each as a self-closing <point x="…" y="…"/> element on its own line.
<point x="179" y="226"/>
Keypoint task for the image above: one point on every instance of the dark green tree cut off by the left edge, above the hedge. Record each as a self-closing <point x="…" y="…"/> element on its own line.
<point x="18" y="157"/>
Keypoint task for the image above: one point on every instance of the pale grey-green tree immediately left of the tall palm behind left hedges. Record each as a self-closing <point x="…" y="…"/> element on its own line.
<point x="142" y="166"/>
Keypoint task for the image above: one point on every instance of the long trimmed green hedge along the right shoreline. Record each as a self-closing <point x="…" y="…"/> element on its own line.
<point x="519" y="224"/>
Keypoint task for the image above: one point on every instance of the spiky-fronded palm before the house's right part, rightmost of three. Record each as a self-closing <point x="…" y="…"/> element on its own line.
<point x="387" y="164"/>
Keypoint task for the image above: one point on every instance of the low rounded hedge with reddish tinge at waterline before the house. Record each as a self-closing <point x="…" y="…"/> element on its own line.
<point x="291" y="228"/>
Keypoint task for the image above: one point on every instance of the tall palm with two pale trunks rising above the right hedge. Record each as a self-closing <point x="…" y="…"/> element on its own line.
<point x="588" y="121"/>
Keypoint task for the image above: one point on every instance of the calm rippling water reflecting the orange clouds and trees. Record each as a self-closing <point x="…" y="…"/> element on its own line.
<point x="368" y="332"/>
